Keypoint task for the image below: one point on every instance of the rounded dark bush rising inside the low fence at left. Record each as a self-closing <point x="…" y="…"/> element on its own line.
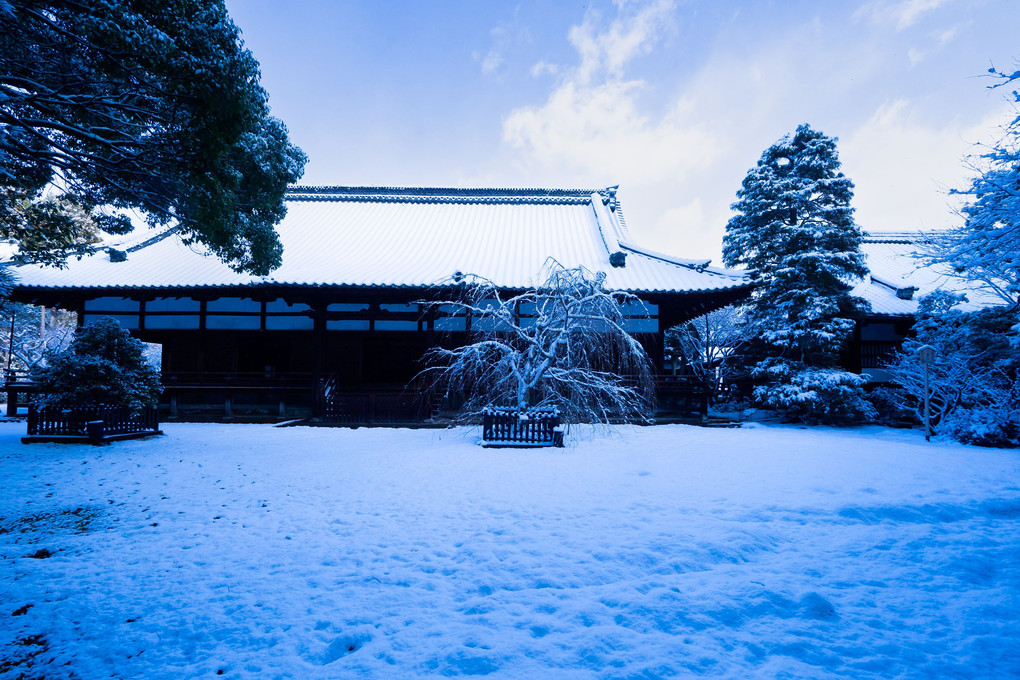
<point x="103" y="365"/>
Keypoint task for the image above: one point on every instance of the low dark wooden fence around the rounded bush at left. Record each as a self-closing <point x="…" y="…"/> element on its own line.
<point x="91" y="424"/>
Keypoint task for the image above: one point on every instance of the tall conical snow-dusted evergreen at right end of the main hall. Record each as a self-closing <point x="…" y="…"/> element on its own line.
<point x="795" y="229"/>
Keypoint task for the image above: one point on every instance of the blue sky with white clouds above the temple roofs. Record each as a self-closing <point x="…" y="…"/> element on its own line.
<point x="674" y="100"/>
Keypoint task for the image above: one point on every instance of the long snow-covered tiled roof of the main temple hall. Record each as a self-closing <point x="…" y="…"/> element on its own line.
<point x="412" y="237"/>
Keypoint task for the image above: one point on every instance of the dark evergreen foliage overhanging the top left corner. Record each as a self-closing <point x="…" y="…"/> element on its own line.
<point x="148" y="106"/>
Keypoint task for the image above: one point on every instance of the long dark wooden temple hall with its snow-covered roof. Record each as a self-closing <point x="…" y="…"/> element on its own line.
<point x="343" y="312"/>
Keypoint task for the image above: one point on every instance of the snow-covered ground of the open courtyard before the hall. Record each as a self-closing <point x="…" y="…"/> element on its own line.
<point x="653" y="553"/>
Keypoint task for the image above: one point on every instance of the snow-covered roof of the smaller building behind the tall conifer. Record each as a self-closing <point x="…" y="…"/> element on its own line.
<point x="899" y="277"/>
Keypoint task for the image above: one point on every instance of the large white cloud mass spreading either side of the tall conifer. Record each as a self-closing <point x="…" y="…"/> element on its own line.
<point x="680" y="155"/>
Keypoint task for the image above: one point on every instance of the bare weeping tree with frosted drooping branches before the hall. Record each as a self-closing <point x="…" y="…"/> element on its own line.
<point x="562" y="345"/>
